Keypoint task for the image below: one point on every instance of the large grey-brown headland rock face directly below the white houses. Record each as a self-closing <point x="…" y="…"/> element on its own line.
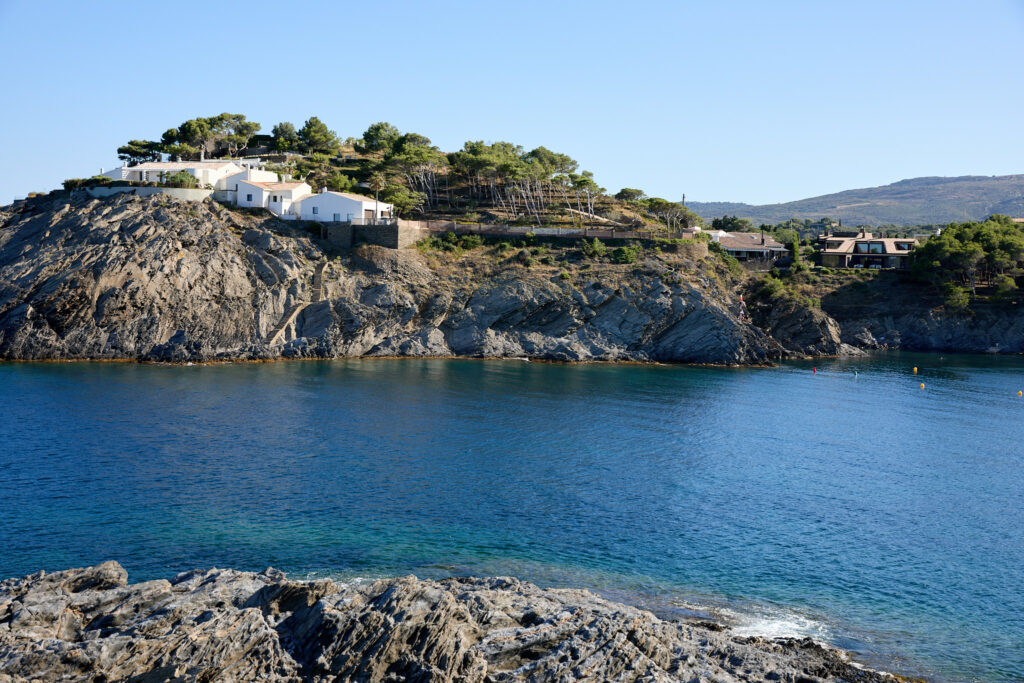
<point x="155" y="279"/>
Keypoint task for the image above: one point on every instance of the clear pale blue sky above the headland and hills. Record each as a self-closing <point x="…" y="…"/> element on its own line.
<point x="744" y="101"/>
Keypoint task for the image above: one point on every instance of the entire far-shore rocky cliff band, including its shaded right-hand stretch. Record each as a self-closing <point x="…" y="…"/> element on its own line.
<point x="154" y="279"/>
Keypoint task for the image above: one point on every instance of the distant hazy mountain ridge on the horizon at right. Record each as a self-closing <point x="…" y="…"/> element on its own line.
<point x="914" y="202"/>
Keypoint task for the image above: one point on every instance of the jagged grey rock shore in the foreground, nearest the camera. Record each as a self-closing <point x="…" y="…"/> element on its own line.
<point x="222" y="625"/>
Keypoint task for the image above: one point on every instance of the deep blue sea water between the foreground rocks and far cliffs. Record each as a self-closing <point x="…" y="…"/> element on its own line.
<point x="850" y="504"/>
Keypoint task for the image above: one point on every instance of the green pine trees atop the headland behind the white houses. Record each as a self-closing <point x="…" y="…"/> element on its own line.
<point x="408" y="170"/>
